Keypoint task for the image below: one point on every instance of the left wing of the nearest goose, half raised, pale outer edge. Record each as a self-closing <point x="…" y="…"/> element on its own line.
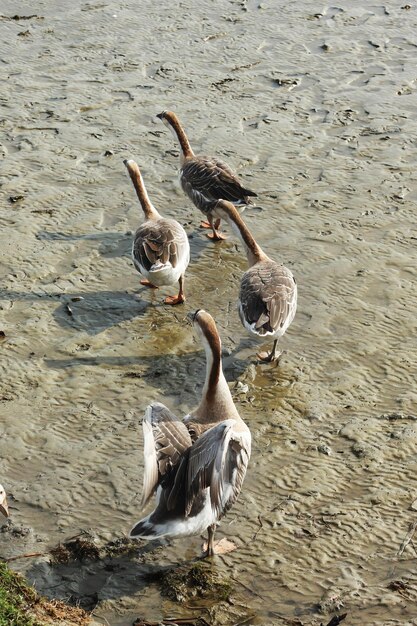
<point x="166" y="439"/>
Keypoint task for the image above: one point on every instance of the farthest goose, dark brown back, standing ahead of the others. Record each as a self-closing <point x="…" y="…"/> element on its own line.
<point x="205" y="178"/>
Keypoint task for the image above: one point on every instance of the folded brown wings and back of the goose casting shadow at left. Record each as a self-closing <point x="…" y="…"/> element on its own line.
<point x="160" y="242"/>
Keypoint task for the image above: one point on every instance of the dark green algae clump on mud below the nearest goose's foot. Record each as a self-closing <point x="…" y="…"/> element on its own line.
<point x="199" y="580"/>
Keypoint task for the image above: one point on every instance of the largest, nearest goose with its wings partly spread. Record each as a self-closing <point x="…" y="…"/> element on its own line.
<point x="197" y="465"/>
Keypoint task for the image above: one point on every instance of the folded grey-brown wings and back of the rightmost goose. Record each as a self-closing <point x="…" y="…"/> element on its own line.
<point x="268" y="298"/>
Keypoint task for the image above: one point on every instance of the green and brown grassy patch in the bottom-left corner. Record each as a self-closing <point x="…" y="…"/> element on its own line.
<point x="21" y="605"/>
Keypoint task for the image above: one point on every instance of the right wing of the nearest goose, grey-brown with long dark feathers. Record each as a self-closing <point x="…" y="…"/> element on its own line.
<point x="218" y="460"/>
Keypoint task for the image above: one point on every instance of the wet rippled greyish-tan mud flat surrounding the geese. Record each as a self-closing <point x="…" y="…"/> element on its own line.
<point x="315" y="106"/>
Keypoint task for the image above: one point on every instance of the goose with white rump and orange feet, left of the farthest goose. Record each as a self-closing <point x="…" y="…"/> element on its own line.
<point x="160" y="251"/>
